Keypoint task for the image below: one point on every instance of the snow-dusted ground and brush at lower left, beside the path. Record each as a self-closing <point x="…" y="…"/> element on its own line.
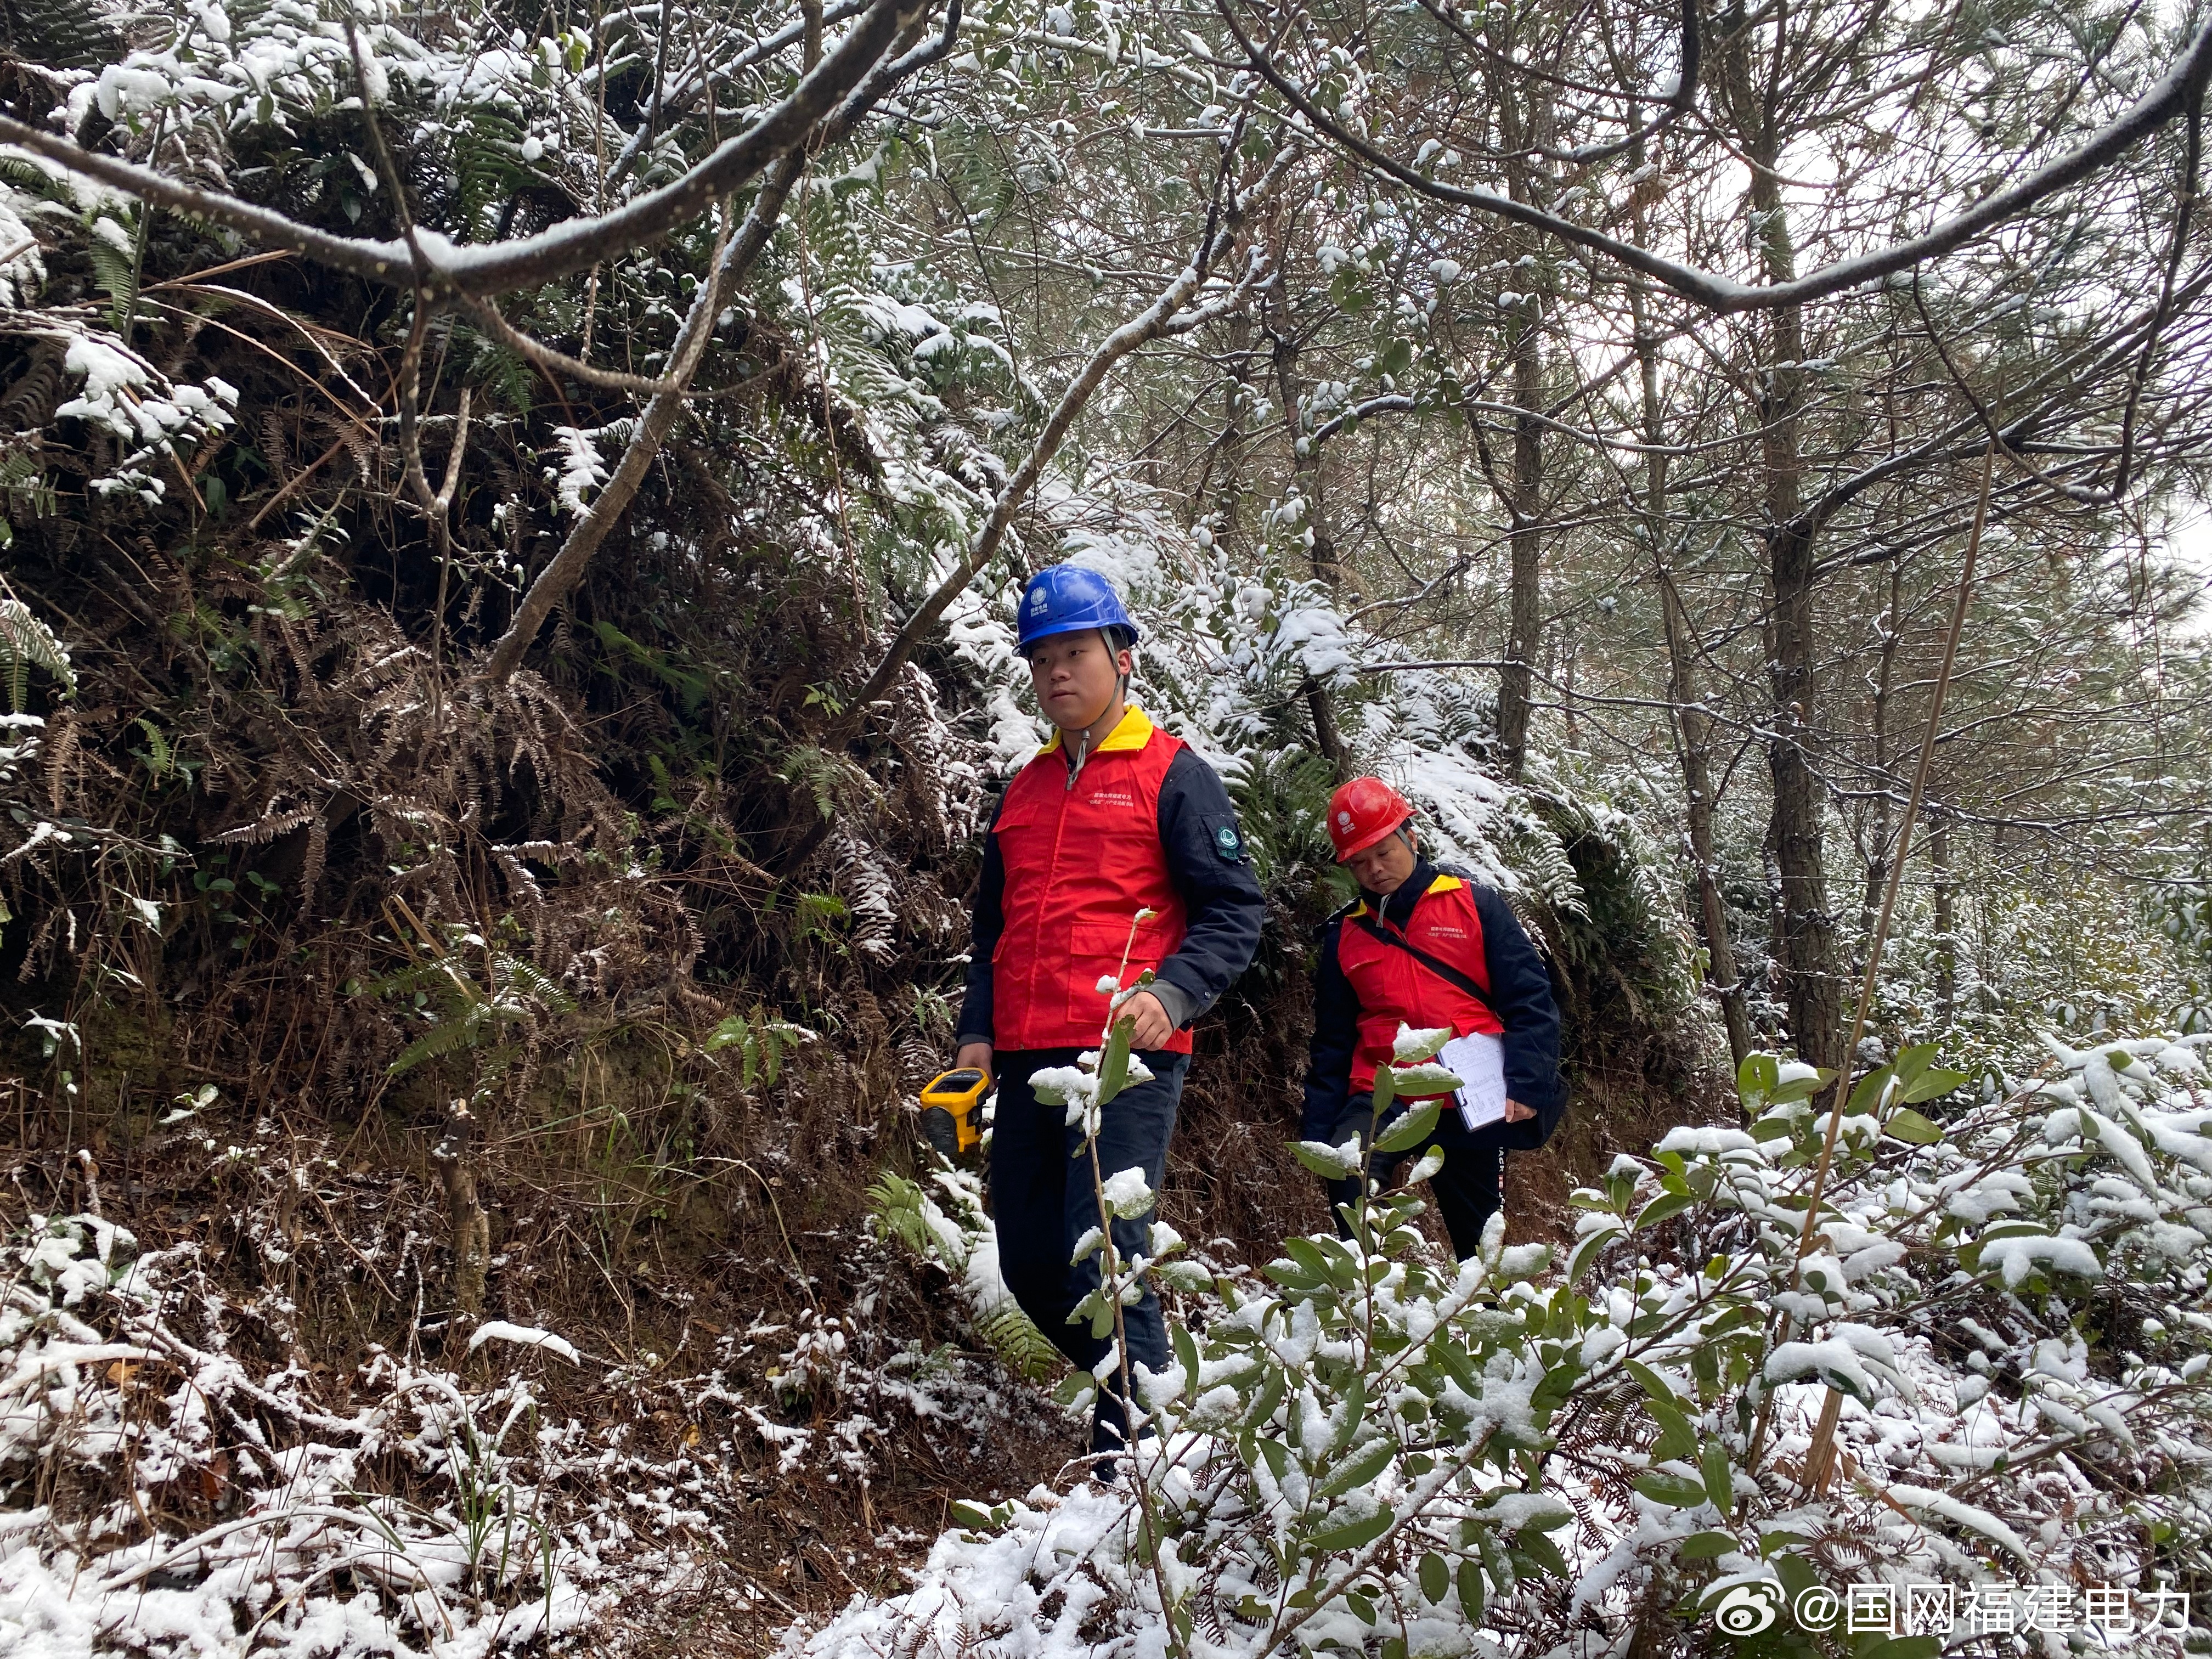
<point x="180" y="1481"/>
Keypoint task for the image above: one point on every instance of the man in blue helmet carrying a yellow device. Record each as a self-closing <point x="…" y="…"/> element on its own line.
<point x="1109" y="820"/>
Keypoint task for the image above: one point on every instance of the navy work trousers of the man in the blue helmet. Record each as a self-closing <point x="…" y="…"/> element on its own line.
<point x="1043" y="1204"/>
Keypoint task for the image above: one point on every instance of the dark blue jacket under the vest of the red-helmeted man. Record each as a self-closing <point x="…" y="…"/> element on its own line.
<point x="1521" y="994"/>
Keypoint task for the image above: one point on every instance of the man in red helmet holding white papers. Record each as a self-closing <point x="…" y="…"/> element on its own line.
<point x="1426" y="948"/>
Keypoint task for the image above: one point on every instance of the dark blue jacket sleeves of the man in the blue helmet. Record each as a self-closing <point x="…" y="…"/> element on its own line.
<point x="1211" y="873"/>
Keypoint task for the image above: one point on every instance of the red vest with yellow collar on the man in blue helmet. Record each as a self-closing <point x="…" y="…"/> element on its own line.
<point x="1083" y="857"/>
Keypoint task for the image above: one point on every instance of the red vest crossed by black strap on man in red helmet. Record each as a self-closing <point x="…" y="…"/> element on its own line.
<point x="1399" y="990"/>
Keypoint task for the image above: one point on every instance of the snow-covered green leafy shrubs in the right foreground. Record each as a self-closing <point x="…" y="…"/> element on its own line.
<point x="1974" y="1390"/>
